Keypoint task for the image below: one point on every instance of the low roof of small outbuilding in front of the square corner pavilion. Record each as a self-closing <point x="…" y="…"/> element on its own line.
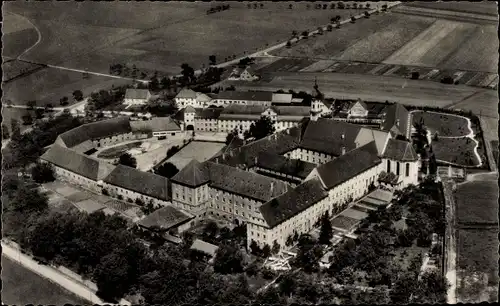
<point x="165" y="218"/>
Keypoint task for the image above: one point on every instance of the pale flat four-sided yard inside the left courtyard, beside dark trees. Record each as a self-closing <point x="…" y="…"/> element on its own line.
<point x="199" y="150"/>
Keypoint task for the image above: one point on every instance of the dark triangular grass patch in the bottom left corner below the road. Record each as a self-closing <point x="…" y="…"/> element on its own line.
<point x="21" y="287"/>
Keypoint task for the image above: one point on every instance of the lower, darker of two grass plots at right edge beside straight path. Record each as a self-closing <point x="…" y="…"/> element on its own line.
<point x="478" y="252"/>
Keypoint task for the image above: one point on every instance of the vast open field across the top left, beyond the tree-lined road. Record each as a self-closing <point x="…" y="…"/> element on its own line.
<point x="166" y="33"/>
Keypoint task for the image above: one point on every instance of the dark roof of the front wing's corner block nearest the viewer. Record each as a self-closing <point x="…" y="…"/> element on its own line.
<point x="293" y="202"/>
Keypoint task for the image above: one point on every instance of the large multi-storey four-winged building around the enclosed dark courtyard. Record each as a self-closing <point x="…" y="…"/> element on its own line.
<point x="275" y="196"/>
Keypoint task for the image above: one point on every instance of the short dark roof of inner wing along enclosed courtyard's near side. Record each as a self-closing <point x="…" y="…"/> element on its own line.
<point x="281" y="164"/>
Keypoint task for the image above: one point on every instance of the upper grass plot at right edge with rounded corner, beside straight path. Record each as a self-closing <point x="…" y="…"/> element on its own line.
<point x="477" y="201"/>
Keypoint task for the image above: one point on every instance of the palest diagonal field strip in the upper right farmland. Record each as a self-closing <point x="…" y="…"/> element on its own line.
<point x="413" y="51"/>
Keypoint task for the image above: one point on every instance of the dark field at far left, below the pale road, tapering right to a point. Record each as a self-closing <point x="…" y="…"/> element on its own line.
<point x="49" y="85"/>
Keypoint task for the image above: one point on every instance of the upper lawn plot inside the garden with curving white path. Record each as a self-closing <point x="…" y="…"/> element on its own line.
<point x="445" y="125"/>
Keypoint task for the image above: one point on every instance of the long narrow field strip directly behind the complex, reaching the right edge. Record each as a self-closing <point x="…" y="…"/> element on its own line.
<point x="374" y="88"/>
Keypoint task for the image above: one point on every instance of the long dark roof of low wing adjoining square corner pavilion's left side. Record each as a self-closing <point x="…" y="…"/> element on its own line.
<point x="145" y="183"/>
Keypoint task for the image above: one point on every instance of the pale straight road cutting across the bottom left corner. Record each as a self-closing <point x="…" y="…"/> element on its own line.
<point x="53" y="275"/>
